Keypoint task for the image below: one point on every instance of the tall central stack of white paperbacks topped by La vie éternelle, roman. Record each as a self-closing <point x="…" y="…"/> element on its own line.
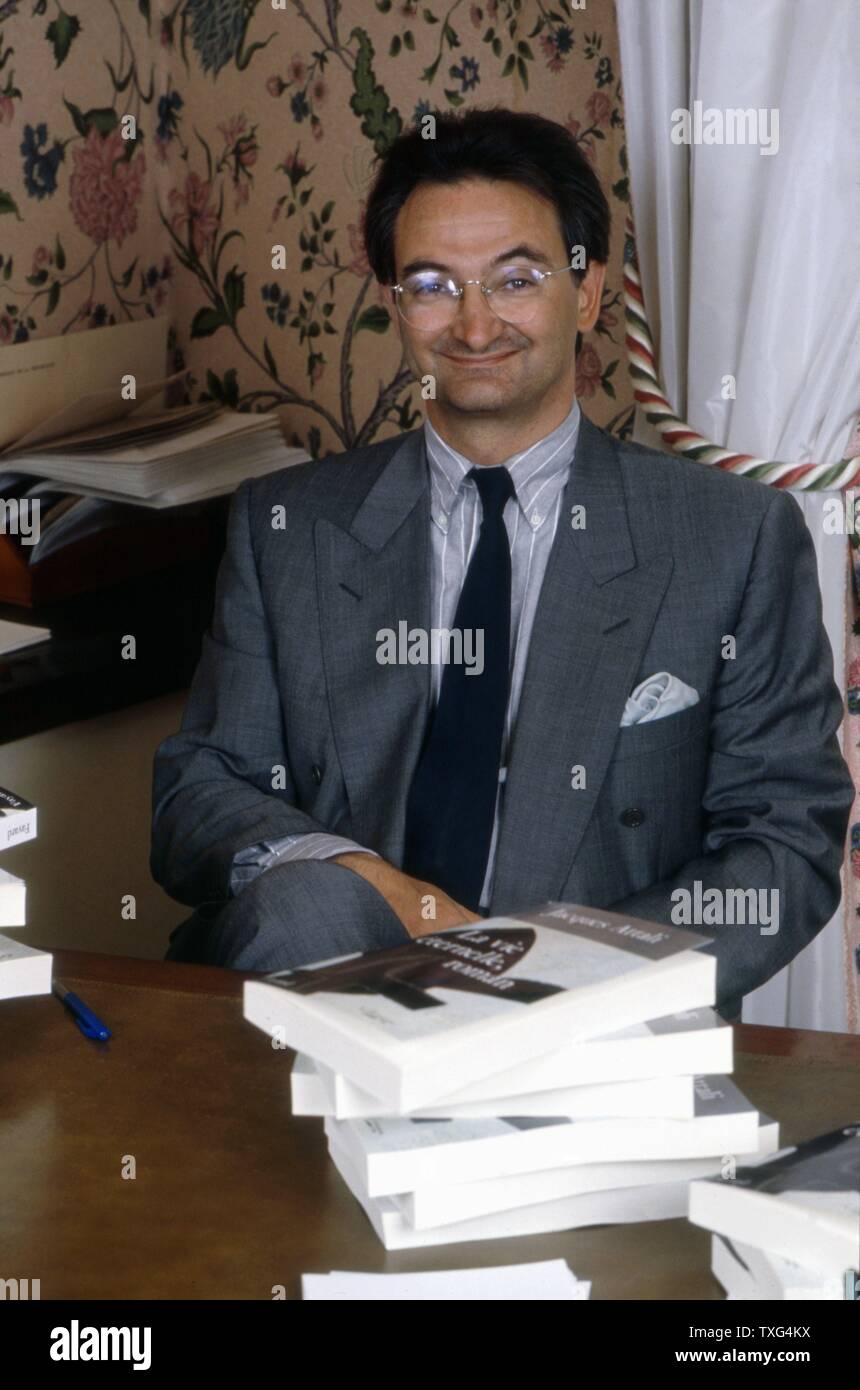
<point x="534" y="1074"/>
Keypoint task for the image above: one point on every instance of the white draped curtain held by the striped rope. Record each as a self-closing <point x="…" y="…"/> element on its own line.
<point x="751" y="266"/>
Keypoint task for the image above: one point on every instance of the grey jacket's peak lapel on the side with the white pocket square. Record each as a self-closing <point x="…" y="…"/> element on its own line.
<point x="595" y="615"/>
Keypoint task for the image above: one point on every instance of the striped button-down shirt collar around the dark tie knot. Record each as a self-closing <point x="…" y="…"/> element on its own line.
<point x="538" y="473"/>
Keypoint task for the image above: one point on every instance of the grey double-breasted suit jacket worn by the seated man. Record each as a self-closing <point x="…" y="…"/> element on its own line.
<point x="744" y="790"/>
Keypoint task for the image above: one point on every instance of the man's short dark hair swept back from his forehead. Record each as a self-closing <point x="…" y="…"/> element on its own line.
<point x="490" y="144"/>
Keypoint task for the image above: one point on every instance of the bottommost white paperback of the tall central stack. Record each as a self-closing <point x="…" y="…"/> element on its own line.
<point x="620" y="1206"/>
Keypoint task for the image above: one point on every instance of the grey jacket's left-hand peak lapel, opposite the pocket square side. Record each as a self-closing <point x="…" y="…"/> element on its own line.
<point x="372" y="578"/>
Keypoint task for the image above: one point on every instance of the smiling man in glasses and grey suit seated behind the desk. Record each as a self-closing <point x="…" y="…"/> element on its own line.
<point x="422" y="696"/>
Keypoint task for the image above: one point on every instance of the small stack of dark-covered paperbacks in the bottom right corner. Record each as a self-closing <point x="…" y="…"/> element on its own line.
<point x="787" y="1227"/>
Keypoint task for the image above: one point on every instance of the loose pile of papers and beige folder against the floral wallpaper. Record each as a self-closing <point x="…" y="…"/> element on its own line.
<point x="104" y="445"/>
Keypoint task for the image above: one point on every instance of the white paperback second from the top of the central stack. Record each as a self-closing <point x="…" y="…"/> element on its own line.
<point x="691" y="1043"/>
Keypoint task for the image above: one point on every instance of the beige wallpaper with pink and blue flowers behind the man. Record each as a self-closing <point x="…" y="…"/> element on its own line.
<point x="154" y="156"/>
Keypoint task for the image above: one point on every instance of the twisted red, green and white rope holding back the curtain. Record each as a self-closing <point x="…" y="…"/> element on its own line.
<point x="683" y="439"/>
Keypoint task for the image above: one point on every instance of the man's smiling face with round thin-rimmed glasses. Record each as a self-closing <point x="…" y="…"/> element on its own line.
<point x="484" y="366"/>
